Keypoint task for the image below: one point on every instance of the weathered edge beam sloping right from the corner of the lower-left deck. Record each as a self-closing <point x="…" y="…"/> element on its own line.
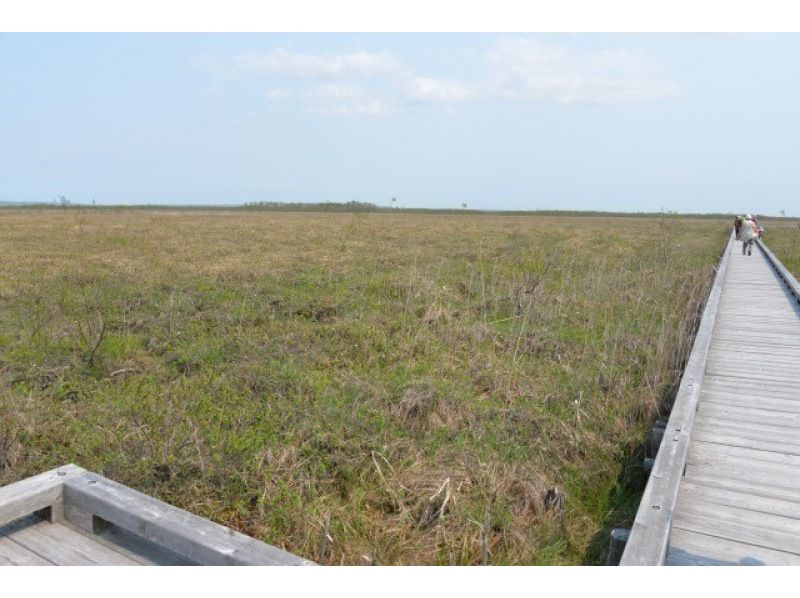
<point x="182" y="533"/>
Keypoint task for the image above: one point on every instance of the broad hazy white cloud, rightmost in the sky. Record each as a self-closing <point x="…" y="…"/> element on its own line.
<point x="524" y="68"/>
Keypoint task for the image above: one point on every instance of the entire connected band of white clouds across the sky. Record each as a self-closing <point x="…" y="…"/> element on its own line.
<point x="515" y="68"/>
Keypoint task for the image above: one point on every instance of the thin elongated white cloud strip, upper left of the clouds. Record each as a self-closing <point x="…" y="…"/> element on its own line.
<point x="292" y="64"/>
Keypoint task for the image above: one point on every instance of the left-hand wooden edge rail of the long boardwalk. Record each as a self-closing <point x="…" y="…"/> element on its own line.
<point x="648" y="541"/>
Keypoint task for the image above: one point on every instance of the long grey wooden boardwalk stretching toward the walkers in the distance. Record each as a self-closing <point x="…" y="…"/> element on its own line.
<point x="725" y="487"/>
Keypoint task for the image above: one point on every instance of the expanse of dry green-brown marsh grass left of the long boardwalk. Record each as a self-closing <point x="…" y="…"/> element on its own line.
<point x="358" y="389"/>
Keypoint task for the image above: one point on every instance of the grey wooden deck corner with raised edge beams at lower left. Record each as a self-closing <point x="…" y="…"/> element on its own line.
<point x="70" y="516"/>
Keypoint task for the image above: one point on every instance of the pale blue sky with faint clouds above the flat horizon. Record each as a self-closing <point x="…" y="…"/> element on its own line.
<point x="621" y="122"/>
